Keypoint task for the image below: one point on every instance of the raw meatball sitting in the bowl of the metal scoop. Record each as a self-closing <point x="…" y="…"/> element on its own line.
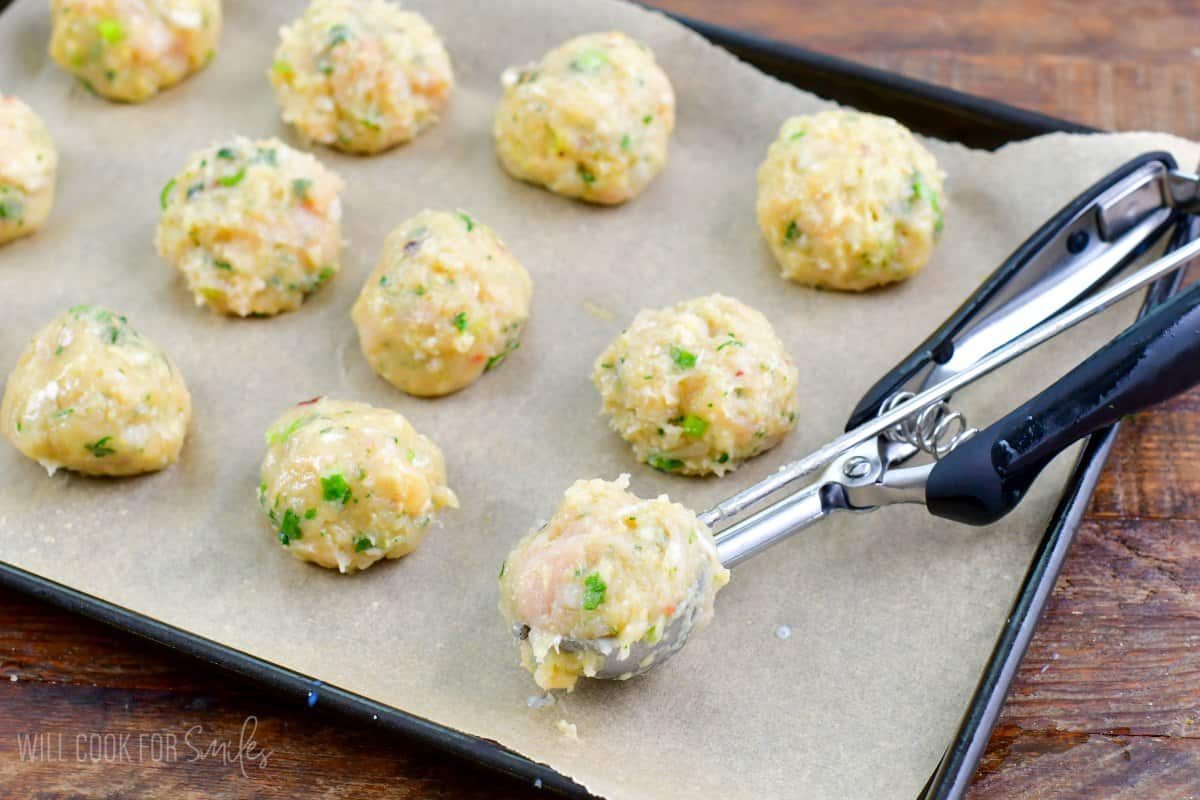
<point x="609" y="566"/>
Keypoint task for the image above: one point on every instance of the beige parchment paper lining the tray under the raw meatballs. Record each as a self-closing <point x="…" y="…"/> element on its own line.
<point x="892" y="615"/>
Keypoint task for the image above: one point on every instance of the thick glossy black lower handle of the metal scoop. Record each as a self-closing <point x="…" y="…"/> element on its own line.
<point x="1154" y="360"/>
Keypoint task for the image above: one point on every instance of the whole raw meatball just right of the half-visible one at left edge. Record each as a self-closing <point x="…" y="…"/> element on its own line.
<point x="254" y="226"/>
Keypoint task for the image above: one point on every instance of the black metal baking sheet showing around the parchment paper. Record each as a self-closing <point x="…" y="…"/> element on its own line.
<point x="927" y="109"/>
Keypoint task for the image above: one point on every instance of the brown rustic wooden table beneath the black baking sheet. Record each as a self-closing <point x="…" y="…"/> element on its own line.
<point x="1107" y="701"/>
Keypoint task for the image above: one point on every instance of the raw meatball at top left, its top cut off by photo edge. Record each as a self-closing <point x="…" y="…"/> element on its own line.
<point x="131" y="50"/>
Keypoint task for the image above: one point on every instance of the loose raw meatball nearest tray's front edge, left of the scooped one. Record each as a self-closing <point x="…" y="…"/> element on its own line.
<point x="346" y="484"/>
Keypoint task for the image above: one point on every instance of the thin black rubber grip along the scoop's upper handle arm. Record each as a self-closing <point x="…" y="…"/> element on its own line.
<point x="940" y="346"/>
